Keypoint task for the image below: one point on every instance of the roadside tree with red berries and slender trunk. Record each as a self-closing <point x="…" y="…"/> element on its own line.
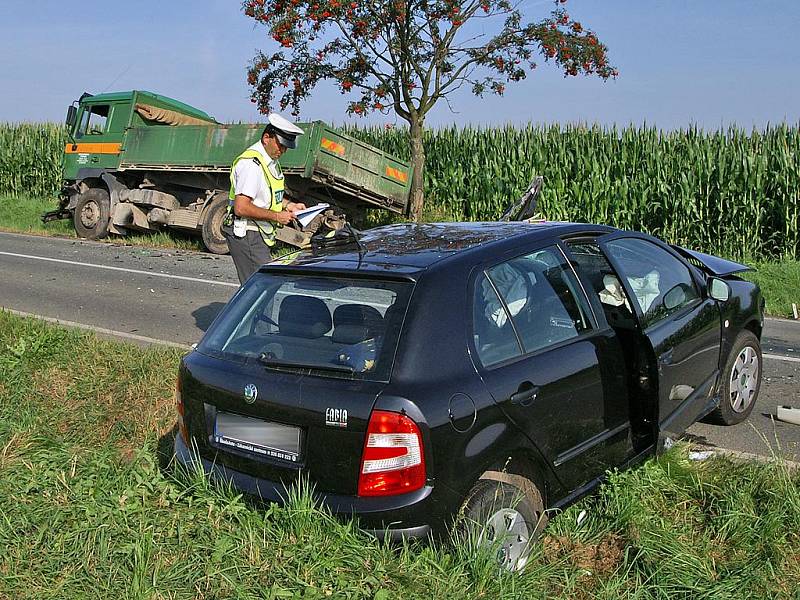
<point x="406" y="55"/>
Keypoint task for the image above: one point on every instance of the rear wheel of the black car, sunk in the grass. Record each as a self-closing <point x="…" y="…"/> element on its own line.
<point x="501" y="517"/>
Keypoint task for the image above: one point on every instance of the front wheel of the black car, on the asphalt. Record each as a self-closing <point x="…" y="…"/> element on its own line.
<point x="741" y="381"/>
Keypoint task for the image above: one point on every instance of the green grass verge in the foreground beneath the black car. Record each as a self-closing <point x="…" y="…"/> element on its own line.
<point x="85" y="510"/>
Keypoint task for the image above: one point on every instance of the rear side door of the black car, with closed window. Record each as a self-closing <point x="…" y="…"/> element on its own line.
<point x="555" y="373"/>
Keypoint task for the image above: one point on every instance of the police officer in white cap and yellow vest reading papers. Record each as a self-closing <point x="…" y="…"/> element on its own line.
<point x="256" y="205"/>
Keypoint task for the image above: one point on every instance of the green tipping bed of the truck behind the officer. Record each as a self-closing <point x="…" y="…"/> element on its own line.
<point x="329" y="162"/>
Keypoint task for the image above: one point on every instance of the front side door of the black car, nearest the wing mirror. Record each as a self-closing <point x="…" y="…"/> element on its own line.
<point x="679" y="327"/>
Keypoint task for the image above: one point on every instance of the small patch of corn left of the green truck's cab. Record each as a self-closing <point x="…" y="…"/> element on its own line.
<point x="30" y="158"/>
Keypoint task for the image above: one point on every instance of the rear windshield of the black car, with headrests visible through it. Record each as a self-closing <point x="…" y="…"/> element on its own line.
<point x="338" y="326"/>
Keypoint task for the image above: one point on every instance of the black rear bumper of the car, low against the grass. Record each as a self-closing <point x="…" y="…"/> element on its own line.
<point x="407" y="516"/>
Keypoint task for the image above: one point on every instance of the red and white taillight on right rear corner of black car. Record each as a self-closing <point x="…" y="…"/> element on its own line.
<point x="393" y="461"/>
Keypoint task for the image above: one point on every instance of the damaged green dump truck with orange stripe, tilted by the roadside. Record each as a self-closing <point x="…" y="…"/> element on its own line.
<point x="139" y="161"/>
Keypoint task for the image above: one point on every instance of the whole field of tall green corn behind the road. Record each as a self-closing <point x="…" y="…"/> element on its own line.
<point x="727" y="192"/>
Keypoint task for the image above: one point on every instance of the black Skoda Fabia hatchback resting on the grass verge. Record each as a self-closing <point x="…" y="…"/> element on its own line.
<point x="487" y="370"/>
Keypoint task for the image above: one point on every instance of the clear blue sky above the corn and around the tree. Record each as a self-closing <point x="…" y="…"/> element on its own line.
<point x="710" y="63"/>
